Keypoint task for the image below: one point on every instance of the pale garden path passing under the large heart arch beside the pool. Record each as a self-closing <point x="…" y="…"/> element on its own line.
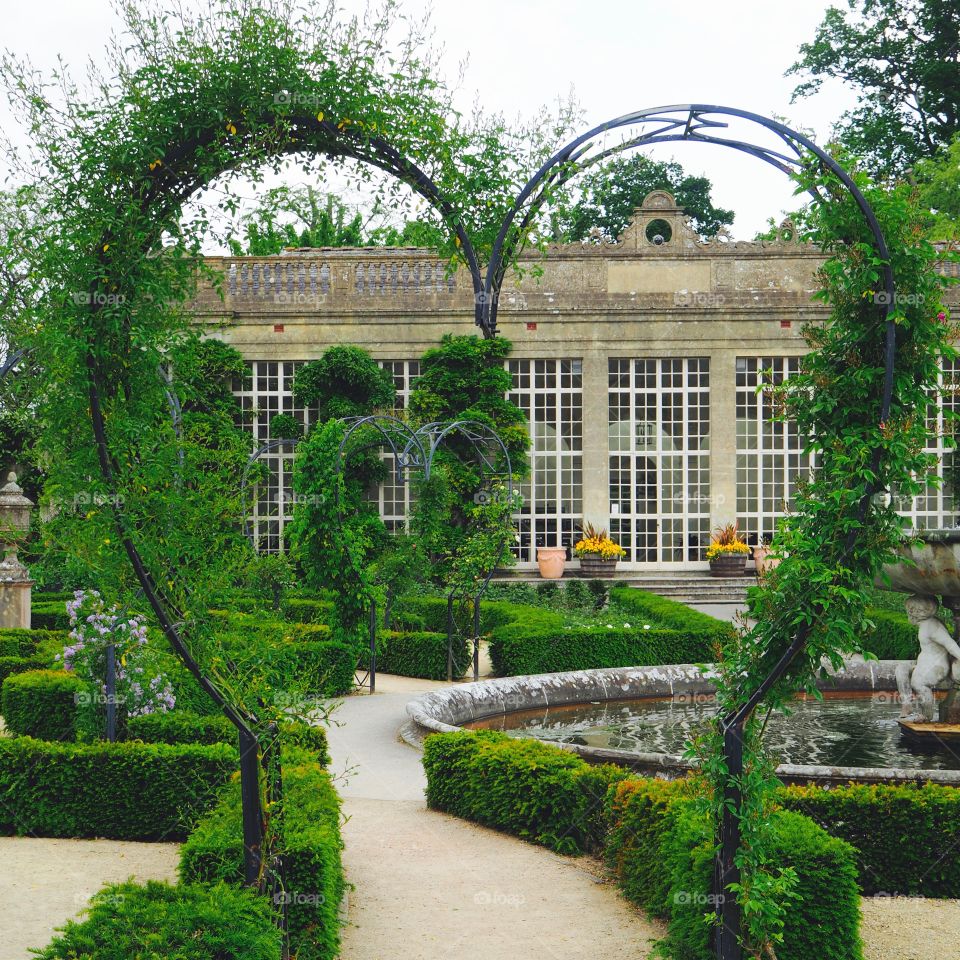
<point x="431" y="887"/>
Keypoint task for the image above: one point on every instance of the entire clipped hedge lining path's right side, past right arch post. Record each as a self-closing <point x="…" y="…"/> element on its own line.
<point x="658" y="844"/>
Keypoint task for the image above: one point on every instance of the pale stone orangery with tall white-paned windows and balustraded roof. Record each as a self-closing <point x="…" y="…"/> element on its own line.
<point x="636" y="363"/>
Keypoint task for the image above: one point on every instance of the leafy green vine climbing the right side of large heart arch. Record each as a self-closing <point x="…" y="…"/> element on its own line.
<point x="843" y="529"/>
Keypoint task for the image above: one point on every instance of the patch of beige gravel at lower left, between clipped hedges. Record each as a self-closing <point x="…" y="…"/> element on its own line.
<point x="43" y="883"/>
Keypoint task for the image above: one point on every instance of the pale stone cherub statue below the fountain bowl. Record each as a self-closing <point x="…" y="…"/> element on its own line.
<point x="939" y="659"/>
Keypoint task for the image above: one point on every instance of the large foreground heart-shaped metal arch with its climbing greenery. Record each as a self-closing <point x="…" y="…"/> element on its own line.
<point x="247" y="86"/>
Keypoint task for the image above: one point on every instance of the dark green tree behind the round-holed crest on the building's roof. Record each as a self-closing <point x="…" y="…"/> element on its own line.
<point x="609" y="194"/>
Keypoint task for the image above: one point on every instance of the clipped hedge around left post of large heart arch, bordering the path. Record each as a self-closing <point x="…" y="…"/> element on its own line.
<point x="312" y="848"/>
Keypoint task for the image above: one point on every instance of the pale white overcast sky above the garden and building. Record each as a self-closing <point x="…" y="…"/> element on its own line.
<point x="618" y="55"/>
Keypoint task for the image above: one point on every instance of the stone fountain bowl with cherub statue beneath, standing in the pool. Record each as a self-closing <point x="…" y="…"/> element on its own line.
<point x="930" y="573"/>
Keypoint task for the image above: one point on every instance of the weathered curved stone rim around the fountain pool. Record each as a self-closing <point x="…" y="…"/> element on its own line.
<point x="447" y="710"/>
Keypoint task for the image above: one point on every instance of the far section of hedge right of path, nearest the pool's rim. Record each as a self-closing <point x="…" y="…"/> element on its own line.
<point x="522" y="786"/>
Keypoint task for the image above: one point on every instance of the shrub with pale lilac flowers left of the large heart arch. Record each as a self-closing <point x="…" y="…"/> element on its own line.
<point x="93" y="629"/>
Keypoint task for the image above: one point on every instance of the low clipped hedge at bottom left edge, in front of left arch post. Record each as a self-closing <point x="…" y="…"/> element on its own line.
<point x="127" y="920"/>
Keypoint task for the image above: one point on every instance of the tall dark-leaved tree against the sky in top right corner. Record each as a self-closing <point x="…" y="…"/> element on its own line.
<point x="903" y="59"/>
